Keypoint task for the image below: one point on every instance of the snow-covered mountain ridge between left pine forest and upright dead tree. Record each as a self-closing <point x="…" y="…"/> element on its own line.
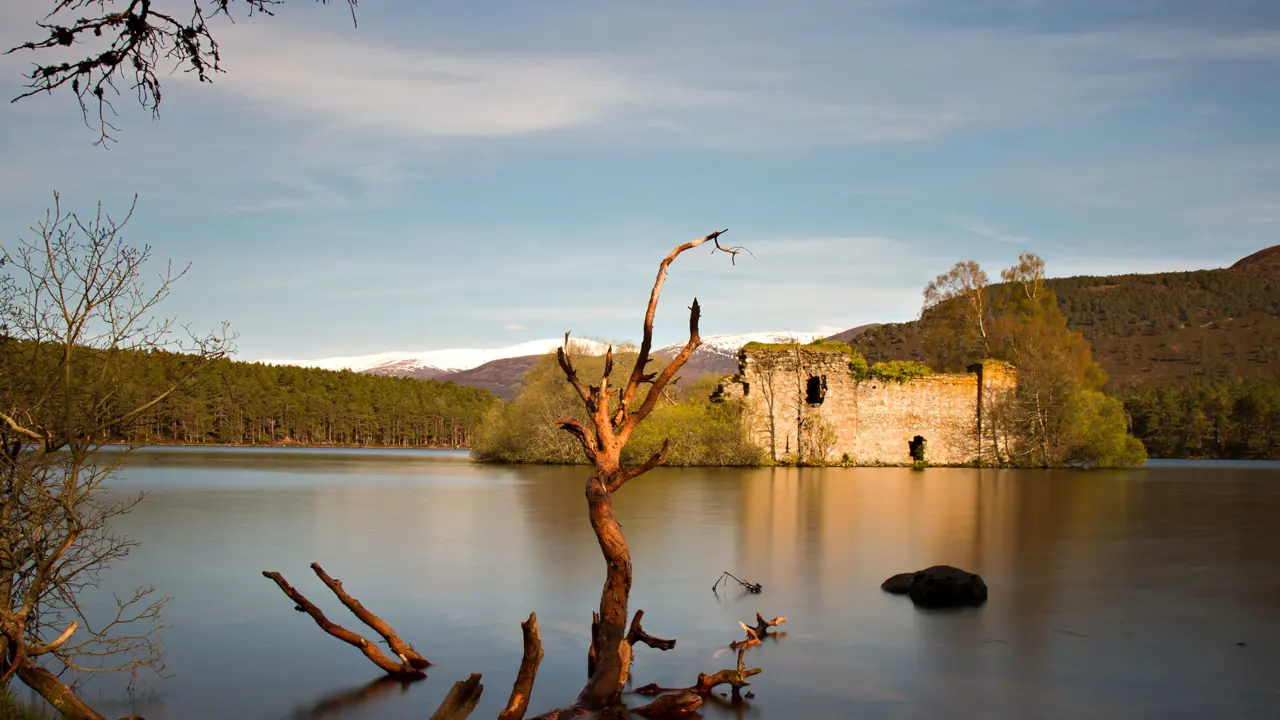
<point x="436" y="363"/>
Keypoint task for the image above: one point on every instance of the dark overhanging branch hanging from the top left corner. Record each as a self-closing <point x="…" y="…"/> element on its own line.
<point x="129" y="43"/>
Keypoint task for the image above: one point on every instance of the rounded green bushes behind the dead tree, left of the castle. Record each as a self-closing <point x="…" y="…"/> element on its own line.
<point x="701" y="432"/>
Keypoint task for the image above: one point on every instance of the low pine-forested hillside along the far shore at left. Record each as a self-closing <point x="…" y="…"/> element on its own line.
<point x="228" y="403"/>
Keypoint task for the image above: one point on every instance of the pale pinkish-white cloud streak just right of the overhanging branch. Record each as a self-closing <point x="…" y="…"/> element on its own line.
<point x="367" y="86"/>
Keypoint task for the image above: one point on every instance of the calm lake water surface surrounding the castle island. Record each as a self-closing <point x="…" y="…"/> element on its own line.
<point x="1146" y="594"/>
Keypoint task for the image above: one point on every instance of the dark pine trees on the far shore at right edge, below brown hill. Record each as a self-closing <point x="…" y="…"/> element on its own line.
<point x="1238" y="420"/>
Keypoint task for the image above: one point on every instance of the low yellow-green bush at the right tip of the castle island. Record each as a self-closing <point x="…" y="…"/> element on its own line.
<point x="1100" y="434"/>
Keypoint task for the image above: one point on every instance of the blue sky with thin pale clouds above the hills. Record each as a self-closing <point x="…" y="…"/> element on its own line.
<point x="478" y="175"/>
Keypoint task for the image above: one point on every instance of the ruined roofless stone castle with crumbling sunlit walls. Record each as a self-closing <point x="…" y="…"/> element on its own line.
<point x="811" y="394"/>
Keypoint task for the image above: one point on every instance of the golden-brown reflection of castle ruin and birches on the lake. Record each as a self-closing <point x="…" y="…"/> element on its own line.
<point x="839" y="532"/>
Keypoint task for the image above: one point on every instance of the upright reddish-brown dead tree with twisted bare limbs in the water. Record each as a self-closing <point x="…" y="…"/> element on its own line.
<point x="614" y="416"/>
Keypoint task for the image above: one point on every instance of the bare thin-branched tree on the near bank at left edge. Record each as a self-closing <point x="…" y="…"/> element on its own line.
<point x="75" y="313"/>
